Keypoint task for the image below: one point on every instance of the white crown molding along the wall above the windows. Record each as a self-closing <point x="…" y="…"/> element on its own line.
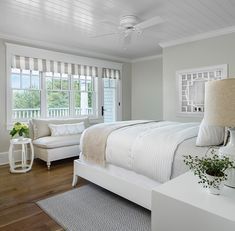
<point x="62" y="48"/>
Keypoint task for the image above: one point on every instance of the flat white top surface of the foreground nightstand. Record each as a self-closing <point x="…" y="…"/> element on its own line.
<point x="186" y="189"/>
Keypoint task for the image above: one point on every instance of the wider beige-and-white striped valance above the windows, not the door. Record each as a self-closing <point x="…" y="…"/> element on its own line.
<point x="27" y="63"/>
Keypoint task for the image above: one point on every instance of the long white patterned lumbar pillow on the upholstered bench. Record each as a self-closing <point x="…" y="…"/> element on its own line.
<point x="66" y="129"/>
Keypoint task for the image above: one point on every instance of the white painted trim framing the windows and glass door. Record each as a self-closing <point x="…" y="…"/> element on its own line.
<point x="14" y="49"/>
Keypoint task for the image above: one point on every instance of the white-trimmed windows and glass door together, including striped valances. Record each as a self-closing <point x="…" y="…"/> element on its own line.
<point x="54" y="85"/>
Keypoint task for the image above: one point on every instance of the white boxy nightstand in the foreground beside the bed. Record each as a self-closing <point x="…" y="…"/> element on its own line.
<point x="183" y="205"/>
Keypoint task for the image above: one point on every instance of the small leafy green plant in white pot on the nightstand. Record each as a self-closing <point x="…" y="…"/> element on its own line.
<point x="211" y="170"/>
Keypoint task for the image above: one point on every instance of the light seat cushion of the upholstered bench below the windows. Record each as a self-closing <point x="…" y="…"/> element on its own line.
<point x="57" y="141"/>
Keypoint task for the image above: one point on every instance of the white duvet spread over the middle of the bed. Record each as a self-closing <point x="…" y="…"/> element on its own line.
<point x="148" y="149"/>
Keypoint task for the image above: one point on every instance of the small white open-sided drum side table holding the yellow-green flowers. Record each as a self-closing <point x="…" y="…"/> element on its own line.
<point x="23" y="166"/>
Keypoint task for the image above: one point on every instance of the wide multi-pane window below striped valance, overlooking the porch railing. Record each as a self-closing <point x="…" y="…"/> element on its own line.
<point x="65" y="95"/>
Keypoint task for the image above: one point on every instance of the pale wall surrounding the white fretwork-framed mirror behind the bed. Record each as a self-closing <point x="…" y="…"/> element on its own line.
<point x="208" y="52"/>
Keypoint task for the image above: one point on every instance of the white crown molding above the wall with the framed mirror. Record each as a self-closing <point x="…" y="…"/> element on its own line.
<point x="211" y="34"/>
